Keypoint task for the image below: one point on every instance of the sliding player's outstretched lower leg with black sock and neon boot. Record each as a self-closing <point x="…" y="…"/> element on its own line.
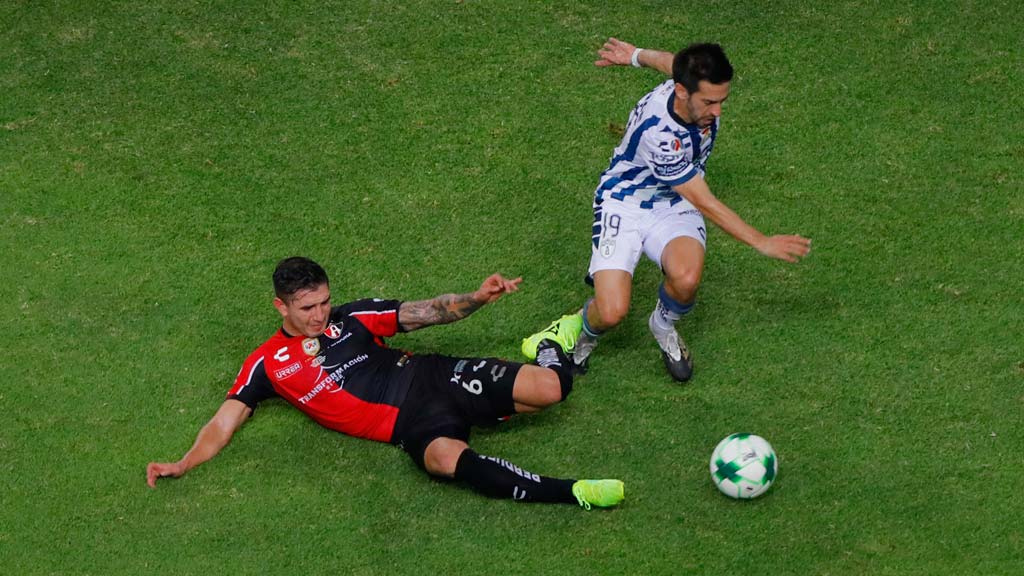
<point x="497" y="478"/>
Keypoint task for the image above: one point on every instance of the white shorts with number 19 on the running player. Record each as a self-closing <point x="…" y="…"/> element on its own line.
<point x="623" y="232"/>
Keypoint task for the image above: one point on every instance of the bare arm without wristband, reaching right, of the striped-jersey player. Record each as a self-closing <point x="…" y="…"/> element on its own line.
<point x="785" y="248"/>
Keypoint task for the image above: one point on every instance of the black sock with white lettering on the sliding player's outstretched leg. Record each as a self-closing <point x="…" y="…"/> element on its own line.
<point x="498" y="478"/>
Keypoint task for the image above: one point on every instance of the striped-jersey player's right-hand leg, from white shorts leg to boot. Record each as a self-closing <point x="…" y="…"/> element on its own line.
<point x="682" y="262"/>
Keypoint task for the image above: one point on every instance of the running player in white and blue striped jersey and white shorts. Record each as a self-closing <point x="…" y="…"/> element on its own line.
<point x="653" y="200"/>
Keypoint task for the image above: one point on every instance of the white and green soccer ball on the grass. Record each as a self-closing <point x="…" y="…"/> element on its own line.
<point x="744" y="466"/>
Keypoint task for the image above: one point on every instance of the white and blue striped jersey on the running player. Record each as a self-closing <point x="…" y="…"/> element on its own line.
<point x="658" y="152"/>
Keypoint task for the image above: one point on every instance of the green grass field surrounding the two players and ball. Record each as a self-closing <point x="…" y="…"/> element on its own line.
<point x="156" y="161"/>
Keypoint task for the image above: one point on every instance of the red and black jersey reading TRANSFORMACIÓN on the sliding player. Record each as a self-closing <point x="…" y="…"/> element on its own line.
<point x="346" y="380"/>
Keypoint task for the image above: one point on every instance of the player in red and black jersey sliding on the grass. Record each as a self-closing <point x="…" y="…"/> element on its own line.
<point x="334" y="365"/>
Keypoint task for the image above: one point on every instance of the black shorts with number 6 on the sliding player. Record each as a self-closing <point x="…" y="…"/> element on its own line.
<point x="449" y="396"/>
